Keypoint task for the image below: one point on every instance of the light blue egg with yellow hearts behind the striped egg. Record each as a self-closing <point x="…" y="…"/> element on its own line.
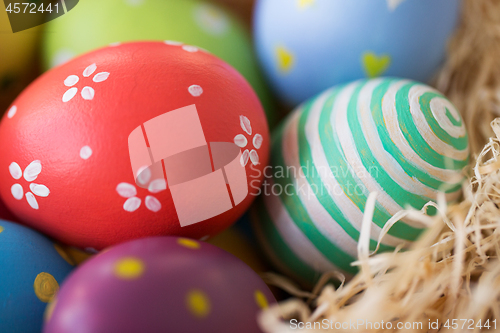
<point x="307" y="46"/>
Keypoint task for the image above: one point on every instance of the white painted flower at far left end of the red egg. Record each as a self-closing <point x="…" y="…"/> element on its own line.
<point x="30" y="174"/>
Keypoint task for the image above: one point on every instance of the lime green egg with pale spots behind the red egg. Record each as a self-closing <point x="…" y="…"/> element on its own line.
<point x="192" y="22"/>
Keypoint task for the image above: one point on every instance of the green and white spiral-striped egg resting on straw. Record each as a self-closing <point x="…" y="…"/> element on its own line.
<point x="399" y="138"/>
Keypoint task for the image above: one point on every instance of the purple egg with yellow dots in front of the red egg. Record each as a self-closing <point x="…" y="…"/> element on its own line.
<point x="160" y="284"/>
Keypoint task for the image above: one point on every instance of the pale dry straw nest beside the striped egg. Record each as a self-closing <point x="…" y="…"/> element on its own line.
<point x="453" y="270"/>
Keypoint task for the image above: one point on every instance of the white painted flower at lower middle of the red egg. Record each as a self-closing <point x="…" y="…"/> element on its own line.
<point x="129" y="191"/>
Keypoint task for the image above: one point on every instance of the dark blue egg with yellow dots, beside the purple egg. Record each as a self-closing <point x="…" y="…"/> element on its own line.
<point x="31" y="269"/>
